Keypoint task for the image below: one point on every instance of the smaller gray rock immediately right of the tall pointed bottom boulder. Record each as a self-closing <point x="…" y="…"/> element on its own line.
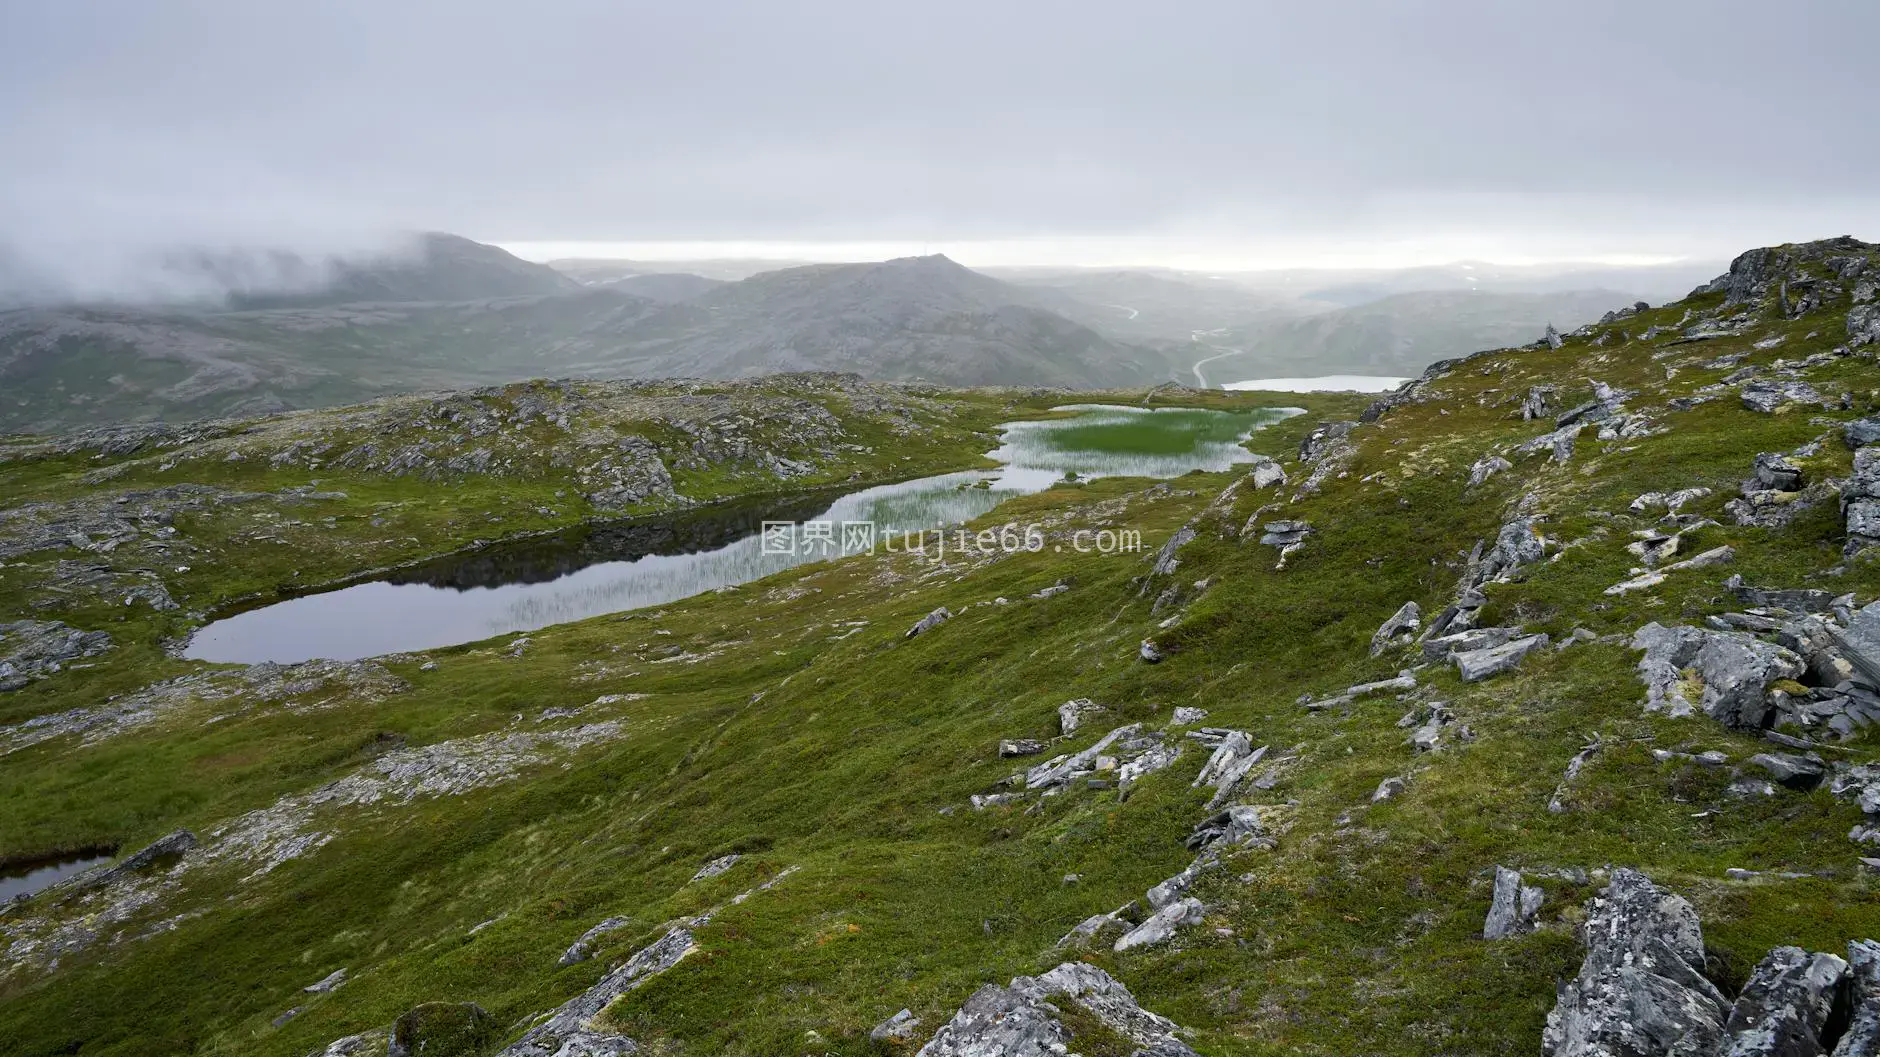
<point x="1785" y="1007"/>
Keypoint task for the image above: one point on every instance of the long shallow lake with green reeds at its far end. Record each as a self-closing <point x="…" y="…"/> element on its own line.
<point x="631" y="565"/>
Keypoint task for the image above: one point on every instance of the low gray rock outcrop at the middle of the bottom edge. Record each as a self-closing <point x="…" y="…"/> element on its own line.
<point x="1026" y="1018"/>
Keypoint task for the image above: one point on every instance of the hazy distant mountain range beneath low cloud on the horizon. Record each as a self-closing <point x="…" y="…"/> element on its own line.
<point x="458" y="313"/>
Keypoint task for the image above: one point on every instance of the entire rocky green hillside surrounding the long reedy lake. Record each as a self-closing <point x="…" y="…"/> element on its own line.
<point x="1531" y="708"/>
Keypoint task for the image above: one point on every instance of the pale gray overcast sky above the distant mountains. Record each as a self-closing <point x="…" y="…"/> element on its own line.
<point x="1206" y="133"/>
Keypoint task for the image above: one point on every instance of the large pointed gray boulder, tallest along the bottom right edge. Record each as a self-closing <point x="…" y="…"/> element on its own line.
<point x="1640" y="990"/>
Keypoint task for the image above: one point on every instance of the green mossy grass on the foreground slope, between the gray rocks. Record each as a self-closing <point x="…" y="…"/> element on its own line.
<point x="807" y="746"/>
